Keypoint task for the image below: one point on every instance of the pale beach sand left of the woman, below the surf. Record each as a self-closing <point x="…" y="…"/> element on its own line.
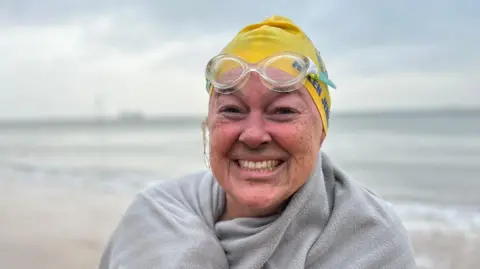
<point x="55" y="228"/>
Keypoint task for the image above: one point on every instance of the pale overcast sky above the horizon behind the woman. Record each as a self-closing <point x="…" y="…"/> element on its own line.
<point x="78" y="58"/>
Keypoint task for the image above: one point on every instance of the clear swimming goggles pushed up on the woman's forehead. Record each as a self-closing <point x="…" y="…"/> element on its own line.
<point x="283" y="72"/>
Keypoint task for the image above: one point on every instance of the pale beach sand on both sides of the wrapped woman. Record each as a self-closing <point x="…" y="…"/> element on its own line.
<point x="55" y="228"/>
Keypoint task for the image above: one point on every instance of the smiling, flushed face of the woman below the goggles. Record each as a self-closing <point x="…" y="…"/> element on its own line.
<point x="263" y="145"/>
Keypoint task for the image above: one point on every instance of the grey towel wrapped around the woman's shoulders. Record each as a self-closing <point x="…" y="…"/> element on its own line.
<point x="332" y="222"/>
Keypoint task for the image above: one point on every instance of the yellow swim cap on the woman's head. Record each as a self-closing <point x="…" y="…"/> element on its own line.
<point x="278" y="34"/>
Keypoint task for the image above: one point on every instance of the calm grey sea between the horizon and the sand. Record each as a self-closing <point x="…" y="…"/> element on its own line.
<point x="426" y="163"/>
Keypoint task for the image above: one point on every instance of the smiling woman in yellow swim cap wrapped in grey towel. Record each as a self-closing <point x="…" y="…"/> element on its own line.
<point x="271" y="200"/>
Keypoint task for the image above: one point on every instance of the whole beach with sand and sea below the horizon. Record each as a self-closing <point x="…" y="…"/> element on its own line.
<point x="64" y="188"/>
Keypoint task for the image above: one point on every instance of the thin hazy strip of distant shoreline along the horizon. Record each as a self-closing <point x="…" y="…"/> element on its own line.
<point x="155" y="120"/>
